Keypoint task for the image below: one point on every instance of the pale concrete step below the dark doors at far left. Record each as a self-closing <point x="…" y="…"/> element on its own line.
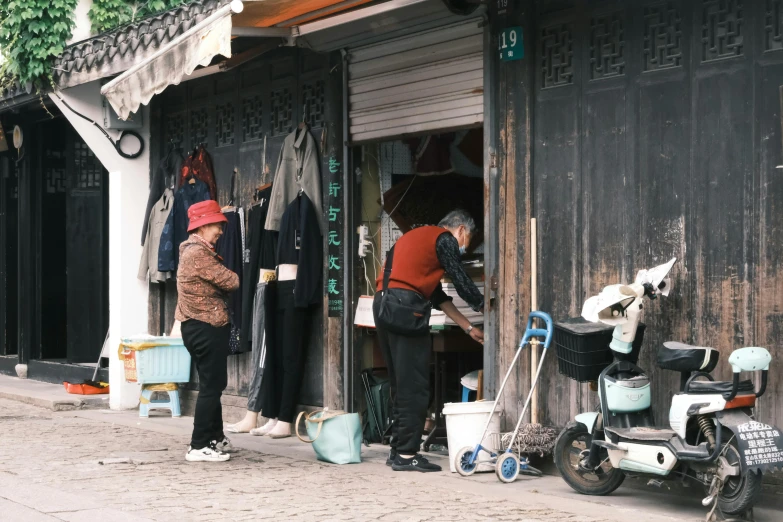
<point x="49" y="396"/>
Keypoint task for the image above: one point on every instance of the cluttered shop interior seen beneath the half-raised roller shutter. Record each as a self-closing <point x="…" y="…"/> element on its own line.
<point x="405" y="184"/>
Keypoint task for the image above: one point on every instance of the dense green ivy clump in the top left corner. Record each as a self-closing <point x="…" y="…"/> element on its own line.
<point x="32" y="32"/>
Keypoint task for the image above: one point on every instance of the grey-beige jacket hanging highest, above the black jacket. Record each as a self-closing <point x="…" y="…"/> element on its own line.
<point x="297" y="167"/>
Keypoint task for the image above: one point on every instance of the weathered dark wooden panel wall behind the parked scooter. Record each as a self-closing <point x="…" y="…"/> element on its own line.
<point x="634" y="132"/>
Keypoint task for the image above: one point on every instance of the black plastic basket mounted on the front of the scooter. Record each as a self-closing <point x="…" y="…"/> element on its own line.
<point x="583" y="348"/>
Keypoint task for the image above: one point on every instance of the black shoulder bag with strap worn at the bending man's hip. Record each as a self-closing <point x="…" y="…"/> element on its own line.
<point x="400" y="311"/>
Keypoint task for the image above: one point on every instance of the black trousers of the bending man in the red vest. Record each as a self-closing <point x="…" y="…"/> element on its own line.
<point x="408" y="363"/>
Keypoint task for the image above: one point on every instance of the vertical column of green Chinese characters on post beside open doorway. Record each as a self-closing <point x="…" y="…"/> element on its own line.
<point x="334" y="210"/>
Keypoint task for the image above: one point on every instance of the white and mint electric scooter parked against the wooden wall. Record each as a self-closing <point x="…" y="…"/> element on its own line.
<point x="713" y="436"/>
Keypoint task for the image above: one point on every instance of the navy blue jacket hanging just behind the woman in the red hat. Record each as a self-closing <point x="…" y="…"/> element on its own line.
<point x="176" y="229"/>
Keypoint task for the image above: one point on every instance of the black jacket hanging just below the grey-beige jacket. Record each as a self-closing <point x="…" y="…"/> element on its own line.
<point x="300" y="243"/>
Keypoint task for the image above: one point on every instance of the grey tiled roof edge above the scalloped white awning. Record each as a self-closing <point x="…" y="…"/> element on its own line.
<point x="118" y="50"/>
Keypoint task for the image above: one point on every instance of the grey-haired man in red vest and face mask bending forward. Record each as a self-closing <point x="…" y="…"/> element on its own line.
<point x="419" y="261"/>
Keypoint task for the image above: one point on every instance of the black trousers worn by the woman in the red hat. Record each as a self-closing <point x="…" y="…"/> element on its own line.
<point x="208" y="347"/>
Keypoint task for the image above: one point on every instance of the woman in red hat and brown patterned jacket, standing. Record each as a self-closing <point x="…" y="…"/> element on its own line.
<point x="203" y="284"/>
